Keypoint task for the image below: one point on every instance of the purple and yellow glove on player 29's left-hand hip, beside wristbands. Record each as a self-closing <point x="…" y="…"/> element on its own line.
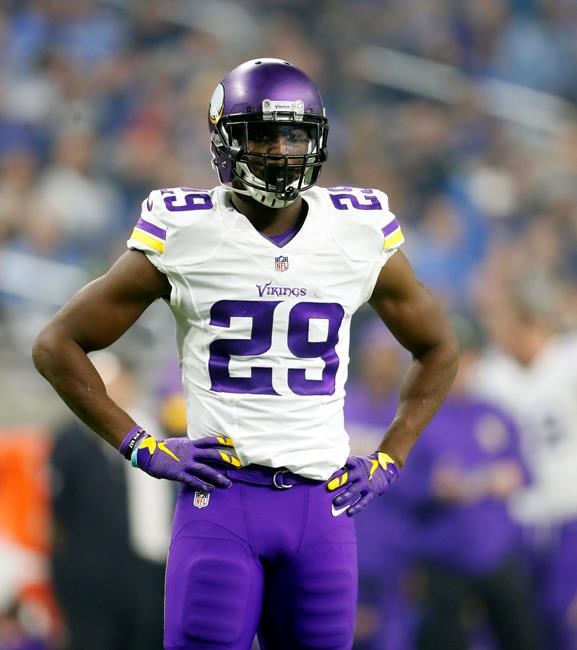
<point x="182" y="459"/>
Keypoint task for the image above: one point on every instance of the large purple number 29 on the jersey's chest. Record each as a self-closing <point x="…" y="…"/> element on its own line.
<point x="262" y="315"/>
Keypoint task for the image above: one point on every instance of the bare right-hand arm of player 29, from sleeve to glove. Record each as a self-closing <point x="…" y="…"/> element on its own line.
<point x="417" y="321"/>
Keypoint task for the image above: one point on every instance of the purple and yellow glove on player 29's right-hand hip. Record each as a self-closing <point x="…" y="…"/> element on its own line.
<point x="360" y="480"/>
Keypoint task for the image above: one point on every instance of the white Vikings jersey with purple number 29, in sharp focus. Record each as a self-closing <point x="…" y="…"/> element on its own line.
<point x="262" y="330"/>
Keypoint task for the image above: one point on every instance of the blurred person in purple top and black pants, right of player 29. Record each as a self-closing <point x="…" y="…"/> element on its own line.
<point x="459" y="480"/>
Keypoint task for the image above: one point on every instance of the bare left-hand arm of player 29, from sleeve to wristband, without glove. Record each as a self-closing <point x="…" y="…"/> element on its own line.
<point x="93" y="319"/>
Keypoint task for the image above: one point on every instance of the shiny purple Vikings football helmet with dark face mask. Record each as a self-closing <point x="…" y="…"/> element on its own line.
<point x="257" y="104"/>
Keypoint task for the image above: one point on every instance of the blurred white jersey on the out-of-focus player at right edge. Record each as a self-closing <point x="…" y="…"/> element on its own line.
<point x="543" y="399"/>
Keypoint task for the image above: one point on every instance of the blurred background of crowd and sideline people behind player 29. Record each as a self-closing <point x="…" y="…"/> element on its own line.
<point x="465" y="113"/>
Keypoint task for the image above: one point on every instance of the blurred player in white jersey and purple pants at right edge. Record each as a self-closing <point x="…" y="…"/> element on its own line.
<point x="532" y="373"/>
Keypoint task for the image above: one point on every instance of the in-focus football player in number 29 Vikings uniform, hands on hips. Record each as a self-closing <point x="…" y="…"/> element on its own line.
<point x="263" y="274"/>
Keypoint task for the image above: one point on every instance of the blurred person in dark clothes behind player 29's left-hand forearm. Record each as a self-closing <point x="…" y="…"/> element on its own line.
<point x="109" y="552"/>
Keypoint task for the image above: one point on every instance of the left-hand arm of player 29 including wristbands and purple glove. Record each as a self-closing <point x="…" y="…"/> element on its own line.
<point x="95" y="318"/>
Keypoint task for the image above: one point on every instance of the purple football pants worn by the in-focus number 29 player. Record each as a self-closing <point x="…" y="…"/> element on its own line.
<point x="260" y="558"/>
